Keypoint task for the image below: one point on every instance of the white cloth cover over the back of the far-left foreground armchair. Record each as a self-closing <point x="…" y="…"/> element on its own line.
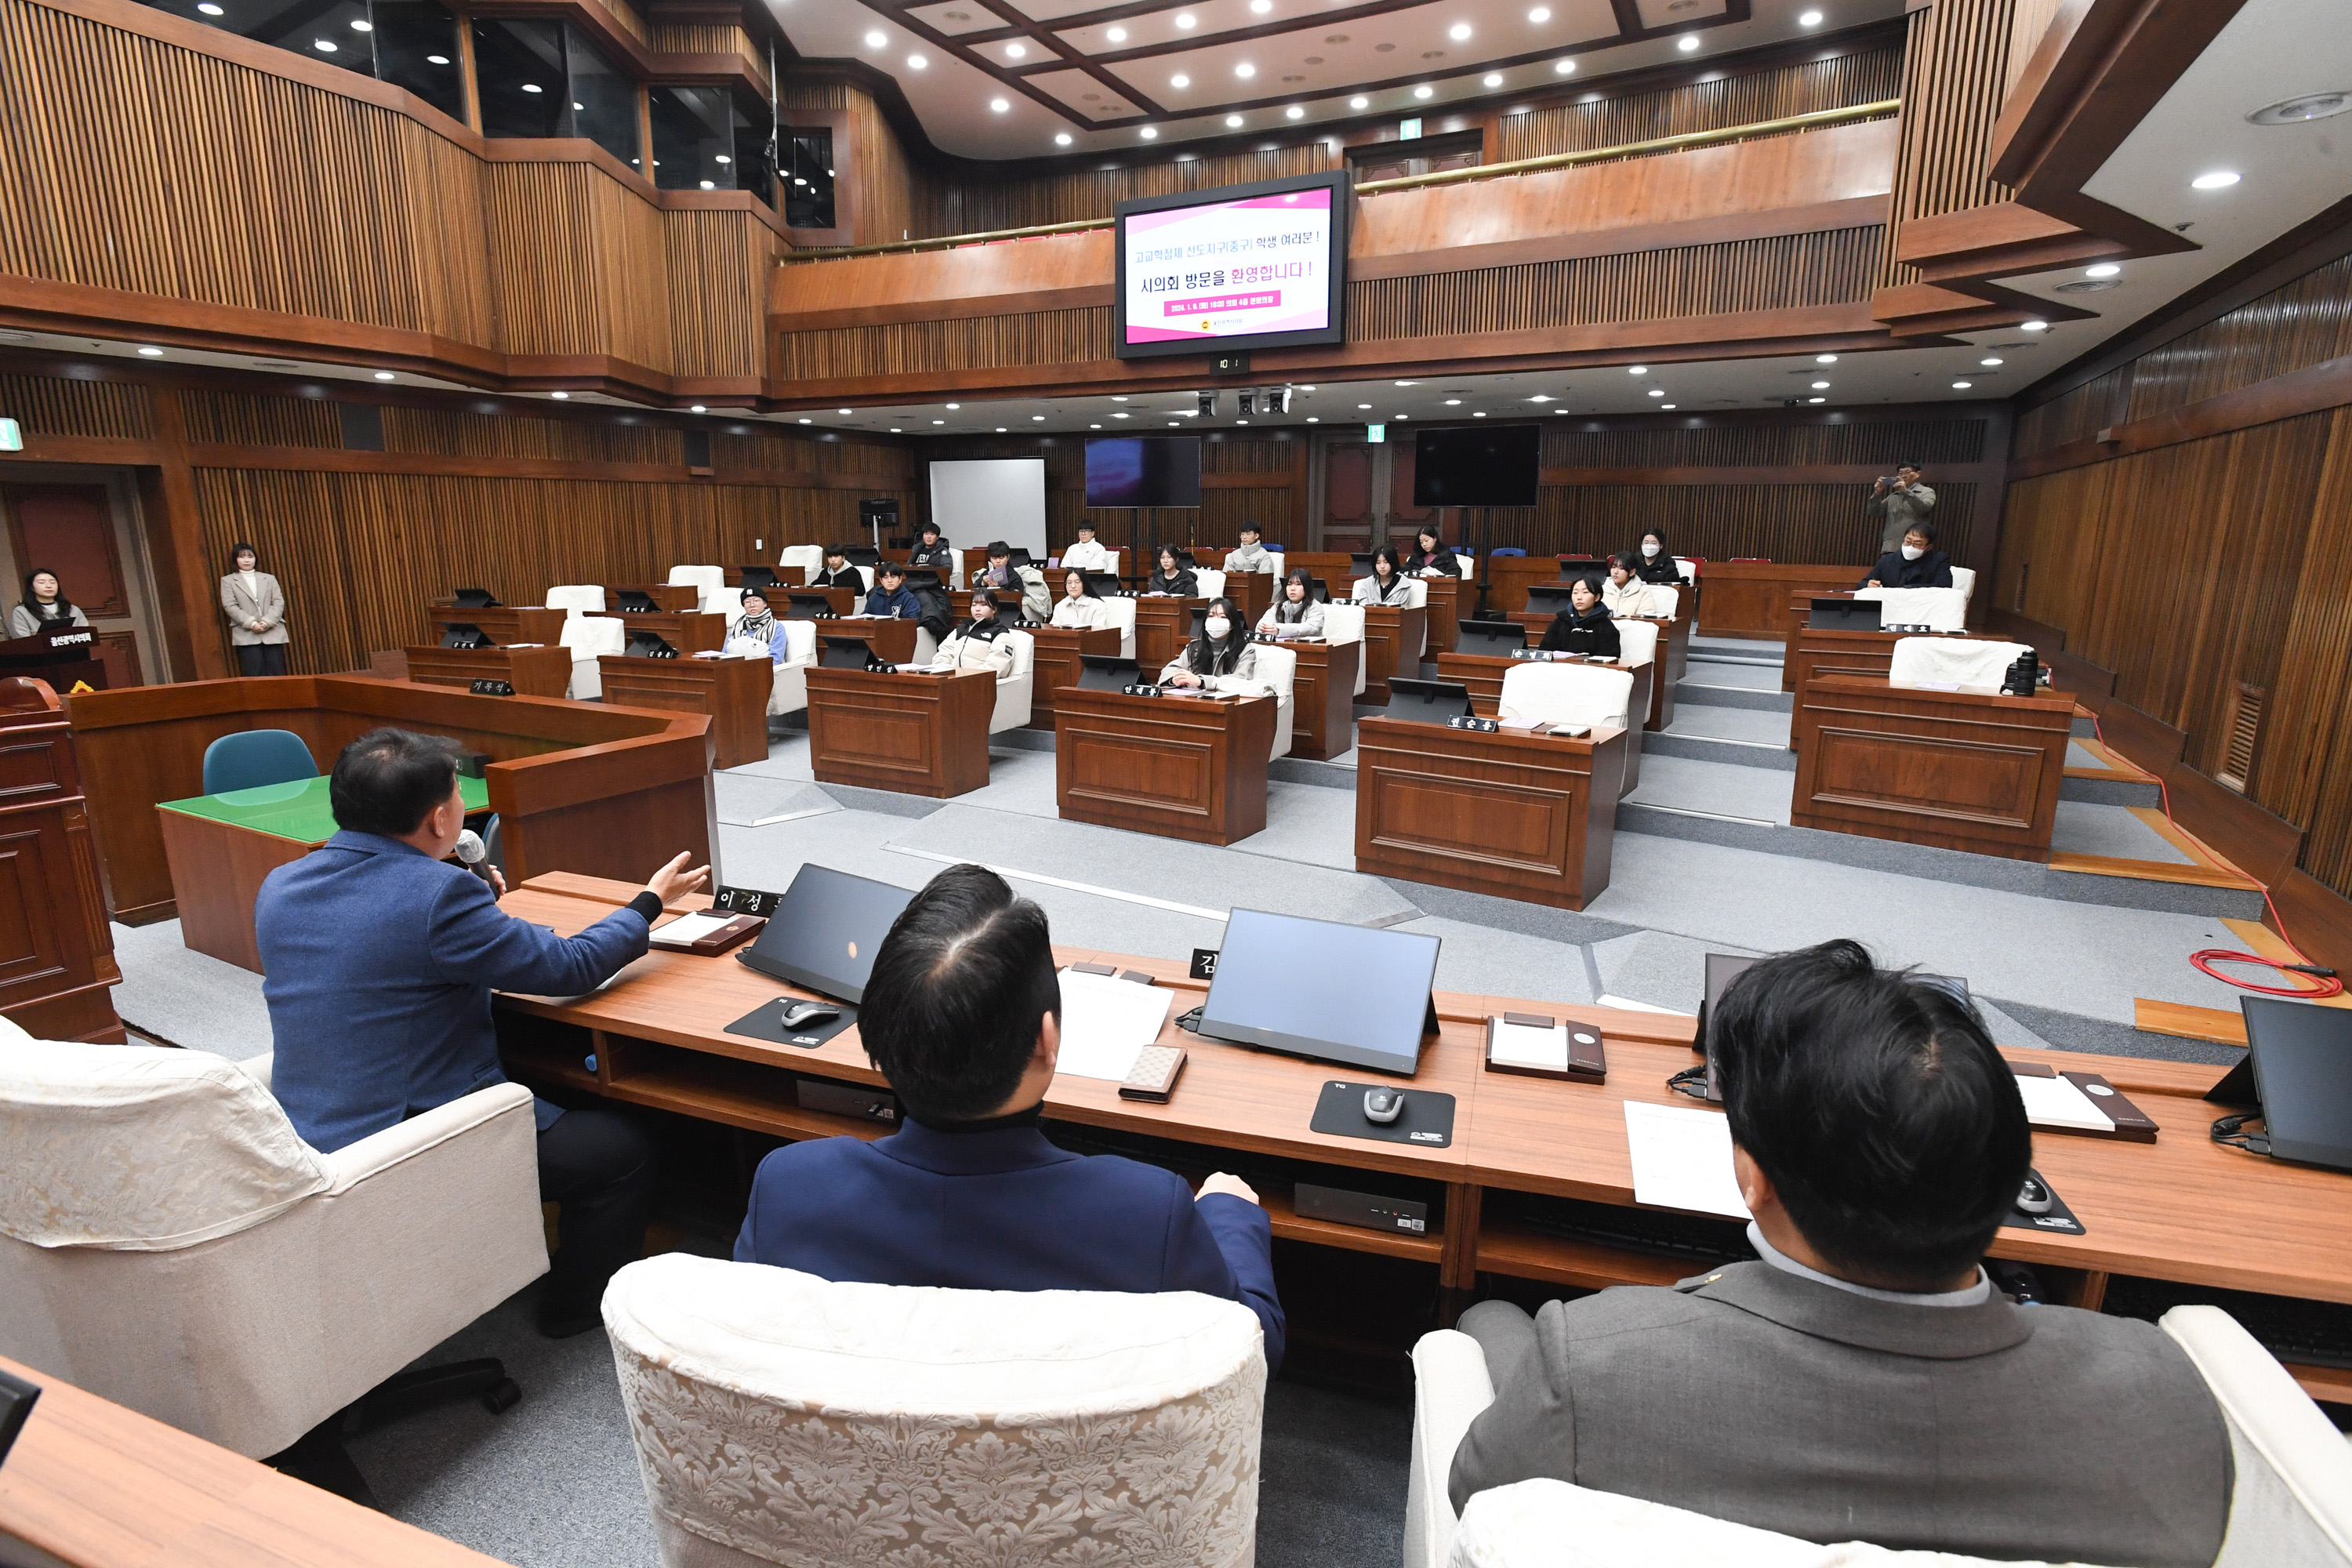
<point x="140" y="1148"/>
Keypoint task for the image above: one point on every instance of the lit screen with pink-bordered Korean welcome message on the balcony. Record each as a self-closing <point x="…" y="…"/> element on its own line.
<point x="1243" y="267"/>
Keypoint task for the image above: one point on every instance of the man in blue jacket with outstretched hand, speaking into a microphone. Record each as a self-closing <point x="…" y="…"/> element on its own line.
<point x="382" y="956"/>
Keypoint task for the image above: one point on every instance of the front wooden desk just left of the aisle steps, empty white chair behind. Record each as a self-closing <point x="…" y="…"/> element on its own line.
<point x="1506" y="815"/>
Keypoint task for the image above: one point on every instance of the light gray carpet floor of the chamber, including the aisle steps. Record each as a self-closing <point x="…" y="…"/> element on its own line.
<point x="556" y="1485"/>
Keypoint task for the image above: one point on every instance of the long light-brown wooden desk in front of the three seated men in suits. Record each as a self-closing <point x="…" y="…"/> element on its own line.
<point x="2179" y="1209"/>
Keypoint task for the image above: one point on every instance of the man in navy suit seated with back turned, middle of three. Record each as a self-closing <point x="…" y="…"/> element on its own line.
<point x="963" y="1014"/>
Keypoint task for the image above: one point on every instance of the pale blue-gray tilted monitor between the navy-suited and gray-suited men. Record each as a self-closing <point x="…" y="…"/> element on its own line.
<point x="1323" y="989"/>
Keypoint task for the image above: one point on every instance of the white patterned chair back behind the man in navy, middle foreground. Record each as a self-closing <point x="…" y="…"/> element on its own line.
<point x="784" y="1419"/>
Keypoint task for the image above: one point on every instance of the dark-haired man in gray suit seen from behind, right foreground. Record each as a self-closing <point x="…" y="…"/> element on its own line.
<point x="1864" y="1381"/>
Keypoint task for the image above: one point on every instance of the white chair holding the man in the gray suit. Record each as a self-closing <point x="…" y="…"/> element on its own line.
<point x="2290" y="1503"/>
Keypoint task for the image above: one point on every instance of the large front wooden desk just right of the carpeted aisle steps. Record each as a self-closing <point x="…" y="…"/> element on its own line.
<point x="1956" y="770"/>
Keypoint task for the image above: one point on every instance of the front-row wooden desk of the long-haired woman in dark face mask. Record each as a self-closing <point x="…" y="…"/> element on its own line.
<point x="1175" y="765"/>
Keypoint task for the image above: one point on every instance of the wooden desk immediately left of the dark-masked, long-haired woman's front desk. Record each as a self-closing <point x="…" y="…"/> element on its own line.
<point x="916" y="735"/>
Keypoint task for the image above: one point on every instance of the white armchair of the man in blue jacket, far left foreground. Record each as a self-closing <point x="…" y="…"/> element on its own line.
<point x="173" y="1245"/>
